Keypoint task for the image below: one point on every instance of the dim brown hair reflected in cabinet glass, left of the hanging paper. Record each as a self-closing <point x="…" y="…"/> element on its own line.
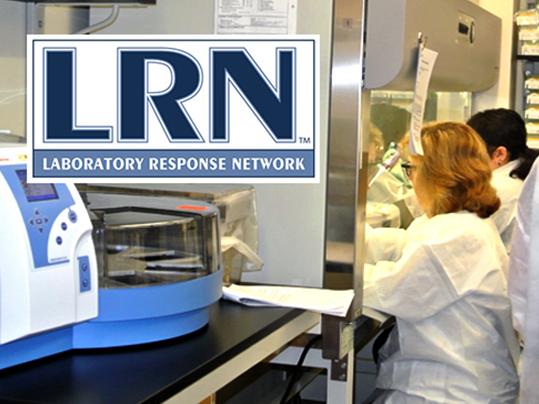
<point x="393" y="121"/>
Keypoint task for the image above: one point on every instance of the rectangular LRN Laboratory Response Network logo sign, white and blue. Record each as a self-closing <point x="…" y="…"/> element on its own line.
<point x="173" y="108"/>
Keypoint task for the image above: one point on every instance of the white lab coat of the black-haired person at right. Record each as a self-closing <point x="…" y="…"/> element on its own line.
<point x="508" y="190"/>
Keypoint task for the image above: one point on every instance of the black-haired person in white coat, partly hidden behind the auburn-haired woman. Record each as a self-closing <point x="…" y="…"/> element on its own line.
<point x="504" y="133"/>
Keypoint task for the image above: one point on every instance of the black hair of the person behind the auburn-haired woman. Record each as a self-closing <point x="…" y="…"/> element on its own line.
<point x="505" y="127"/>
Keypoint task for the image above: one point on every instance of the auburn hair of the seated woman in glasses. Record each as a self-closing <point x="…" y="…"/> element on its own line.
<point x="455" y="170"/>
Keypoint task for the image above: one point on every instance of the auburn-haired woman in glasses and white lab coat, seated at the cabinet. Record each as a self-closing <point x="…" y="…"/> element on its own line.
<point x="444" y="280"/>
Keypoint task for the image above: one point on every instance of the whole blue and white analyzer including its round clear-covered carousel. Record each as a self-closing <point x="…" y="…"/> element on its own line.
<point x="109" y="271"/>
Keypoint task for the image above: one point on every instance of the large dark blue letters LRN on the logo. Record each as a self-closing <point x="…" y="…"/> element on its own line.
<point x="274" y="106"/>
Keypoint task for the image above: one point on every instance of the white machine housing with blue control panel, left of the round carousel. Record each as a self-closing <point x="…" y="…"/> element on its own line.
<point x="48" y="270"/>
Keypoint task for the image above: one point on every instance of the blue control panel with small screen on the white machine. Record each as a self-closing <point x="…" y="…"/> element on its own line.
<point x="40" y="205"/>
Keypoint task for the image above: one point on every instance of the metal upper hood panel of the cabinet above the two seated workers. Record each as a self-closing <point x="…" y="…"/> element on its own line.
<point x="466" y="37"/>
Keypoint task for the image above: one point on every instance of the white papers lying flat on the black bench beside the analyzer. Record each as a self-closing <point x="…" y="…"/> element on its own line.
<point x="333" y="302"/>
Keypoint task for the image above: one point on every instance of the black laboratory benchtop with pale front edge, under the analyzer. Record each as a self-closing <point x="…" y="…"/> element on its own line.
<point x="183" y="370"/>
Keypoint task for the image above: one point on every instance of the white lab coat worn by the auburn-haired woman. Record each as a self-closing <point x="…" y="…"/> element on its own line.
<point x="445" y="282"/>
